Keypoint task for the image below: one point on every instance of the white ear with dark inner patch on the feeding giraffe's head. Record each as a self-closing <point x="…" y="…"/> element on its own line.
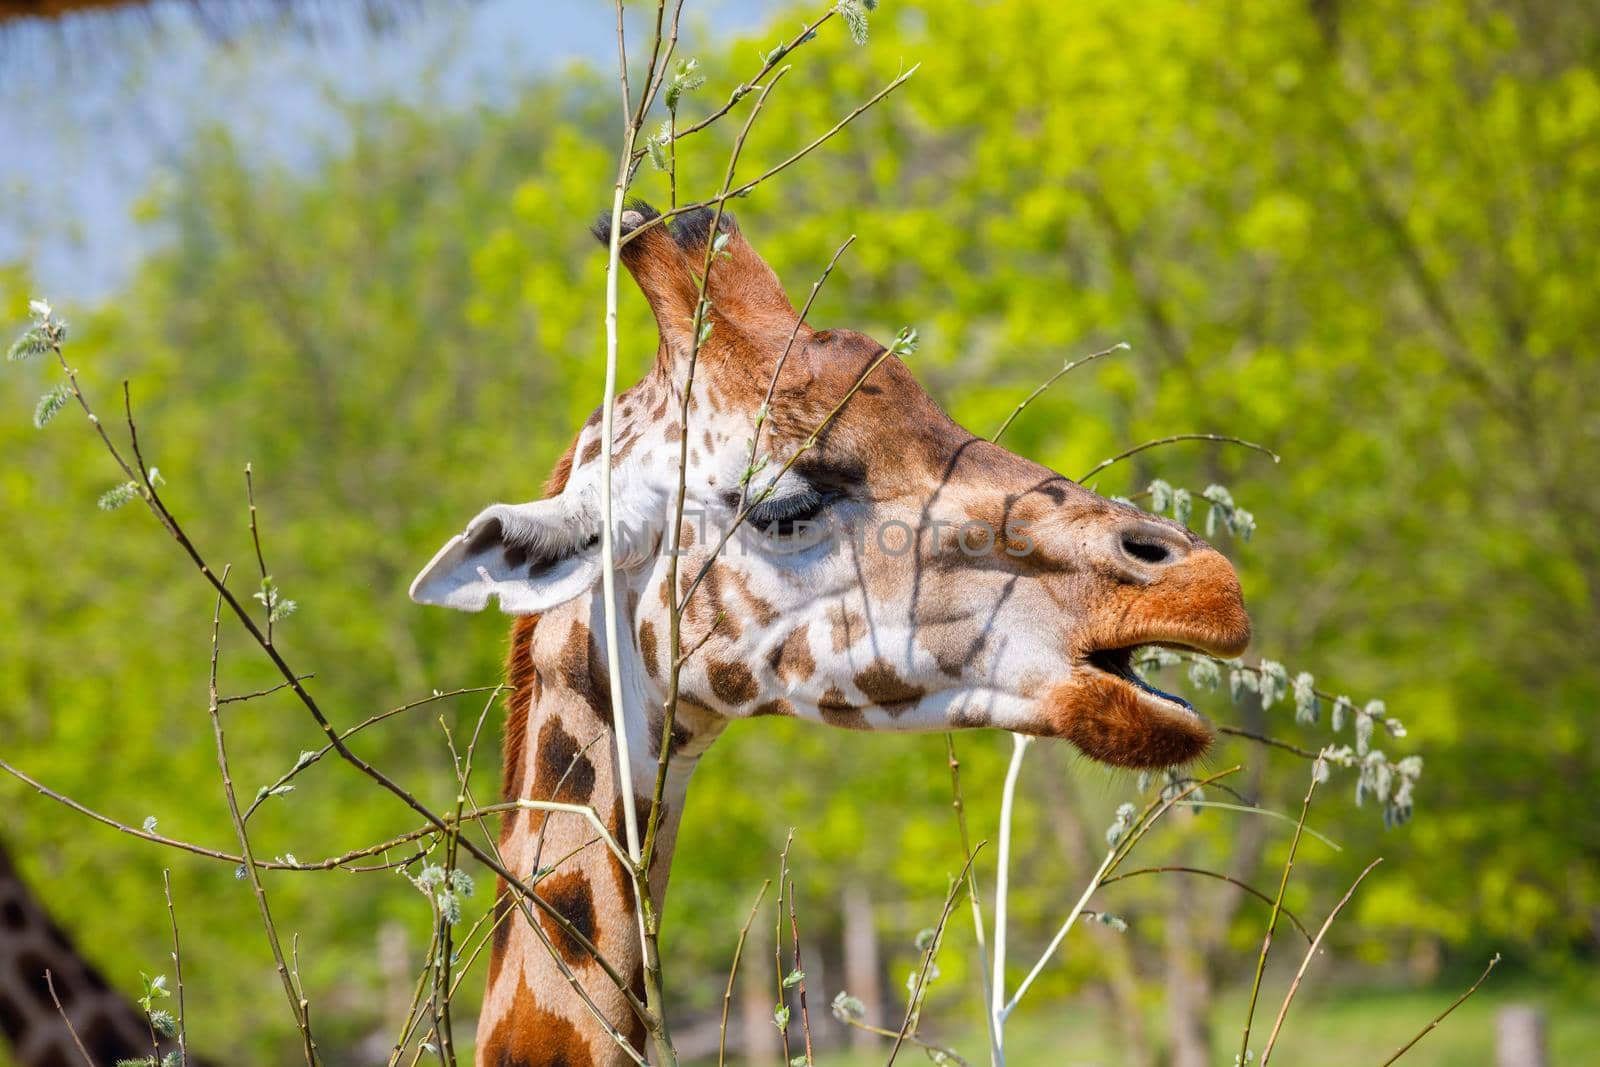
<point x="532" y="557"/>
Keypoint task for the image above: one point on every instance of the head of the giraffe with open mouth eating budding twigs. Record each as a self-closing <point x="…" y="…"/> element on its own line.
<point x="900" y="575"/>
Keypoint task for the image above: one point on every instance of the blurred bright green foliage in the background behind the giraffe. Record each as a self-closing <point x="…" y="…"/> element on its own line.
<point x="1361" y="234"/>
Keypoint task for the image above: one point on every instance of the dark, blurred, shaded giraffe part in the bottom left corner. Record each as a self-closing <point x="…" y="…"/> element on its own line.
<point x="31" y="943"/>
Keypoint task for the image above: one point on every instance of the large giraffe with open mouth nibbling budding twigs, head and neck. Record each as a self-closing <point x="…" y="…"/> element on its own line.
<point x="900" y="575"/>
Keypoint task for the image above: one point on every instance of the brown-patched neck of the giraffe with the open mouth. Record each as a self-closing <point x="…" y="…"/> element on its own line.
<point x="561" y="746"/>
